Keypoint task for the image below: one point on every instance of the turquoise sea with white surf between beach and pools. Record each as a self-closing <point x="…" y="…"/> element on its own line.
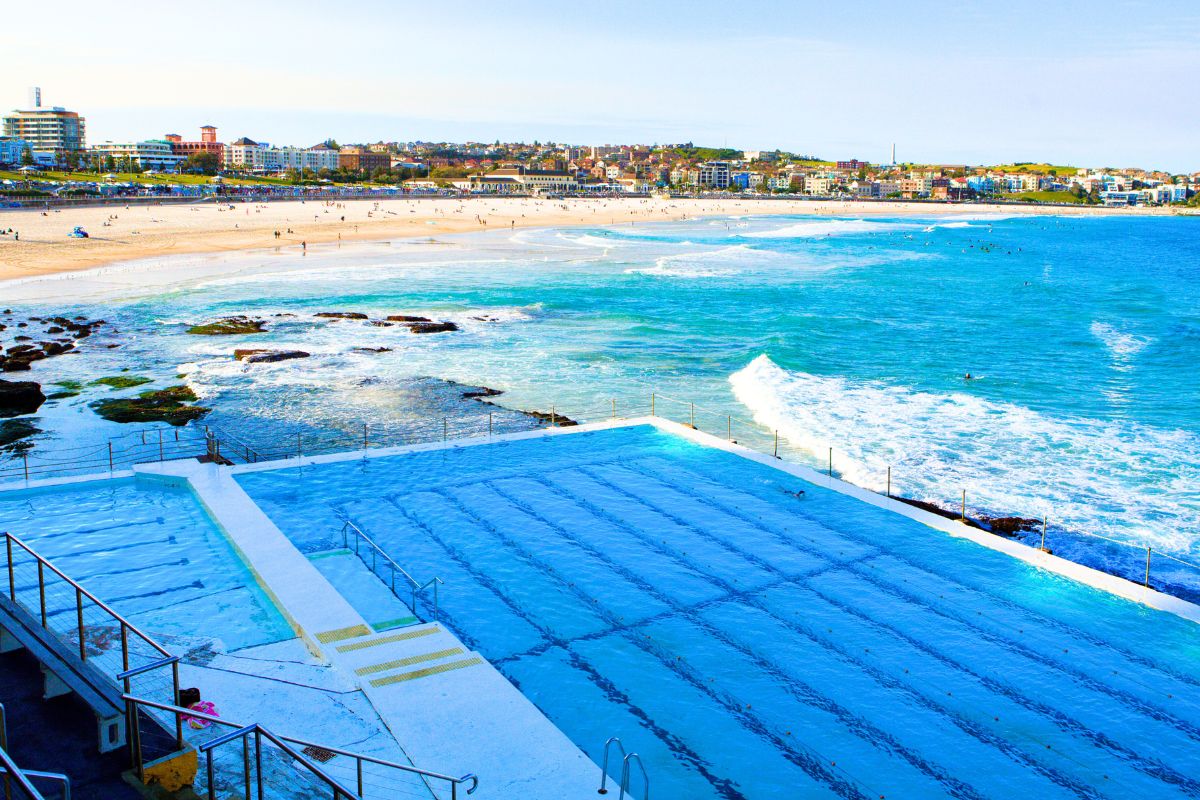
<point x="1082" y="336"/>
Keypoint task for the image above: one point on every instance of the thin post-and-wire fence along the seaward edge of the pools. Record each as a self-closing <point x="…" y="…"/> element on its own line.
<point x="1138" y="563"/>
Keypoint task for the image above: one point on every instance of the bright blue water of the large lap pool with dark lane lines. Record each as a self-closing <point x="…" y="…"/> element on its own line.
<point x="755" y="636"/>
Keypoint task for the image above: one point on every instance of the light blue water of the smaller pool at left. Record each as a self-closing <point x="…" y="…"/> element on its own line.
<point x="154" y="555"/>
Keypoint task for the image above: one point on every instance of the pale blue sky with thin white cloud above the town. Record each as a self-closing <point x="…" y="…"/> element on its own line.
<point x="1093" y="83"/>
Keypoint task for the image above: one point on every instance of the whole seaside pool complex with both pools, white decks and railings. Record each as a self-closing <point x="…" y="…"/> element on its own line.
<point x="632" y="607"/>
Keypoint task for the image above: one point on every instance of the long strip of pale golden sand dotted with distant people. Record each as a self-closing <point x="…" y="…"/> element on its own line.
<point x="122" y="233"/>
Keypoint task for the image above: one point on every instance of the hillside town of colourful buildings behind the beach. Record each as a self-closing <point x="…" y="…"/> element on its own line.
<point x="45" y="155"/>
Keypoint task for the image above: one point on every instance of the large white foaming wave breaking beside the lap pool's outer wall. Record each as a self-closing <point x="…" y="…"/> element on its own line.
<point x="1117" y="479"/>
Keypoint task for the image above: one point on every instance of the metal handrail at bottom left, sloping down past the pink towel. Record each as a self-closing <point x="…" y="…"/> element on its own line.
<point x="371" y="777"/>
